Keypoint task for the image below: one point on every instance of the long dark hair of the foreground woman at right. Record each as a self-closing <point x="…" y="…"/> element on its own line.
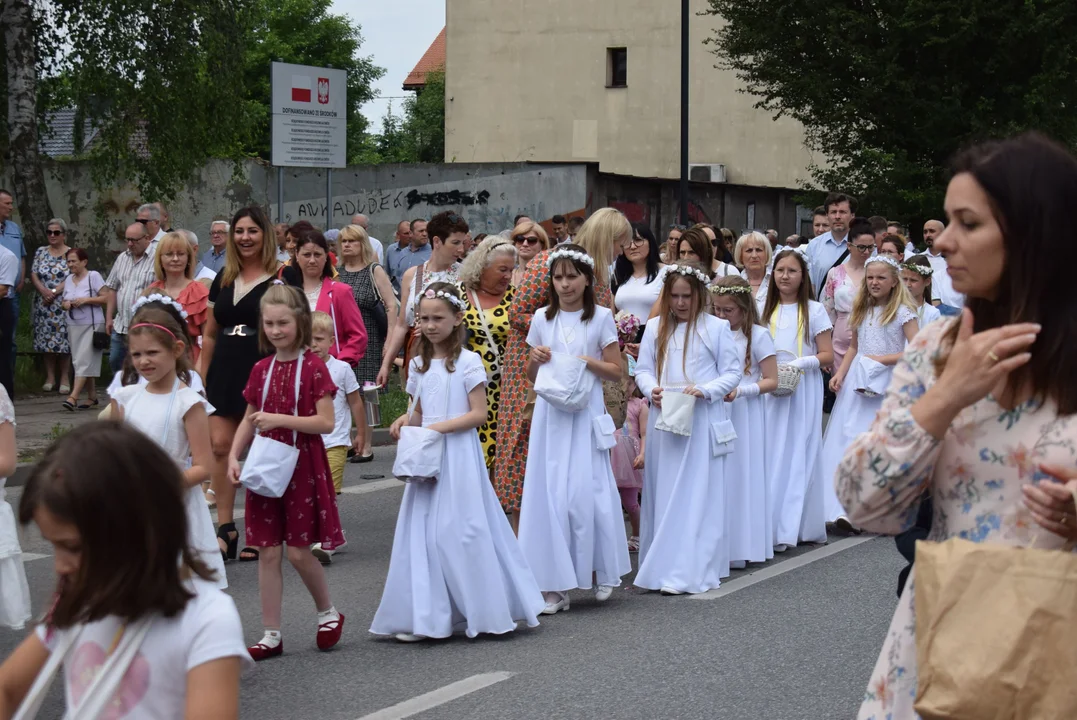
<point x="1031" y="182"/>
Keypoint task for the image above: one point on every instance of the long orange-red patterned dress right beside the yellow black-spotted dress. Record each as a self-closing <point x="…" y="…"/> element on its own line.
<point x="514" y="431"/>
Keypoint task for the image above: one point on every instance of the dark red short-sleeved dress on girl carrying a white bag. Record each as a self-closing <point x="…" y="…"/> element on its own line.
<point x="307" y="513"/>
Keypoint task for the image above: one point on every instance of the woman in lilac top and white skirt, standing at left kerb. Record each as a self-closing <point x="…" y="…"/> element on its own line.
<point x="85" y="306"/>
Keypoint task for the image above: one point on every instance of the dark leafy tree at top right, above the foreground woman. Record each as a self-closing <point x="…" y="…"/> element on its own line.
<point x="889" y="90"/>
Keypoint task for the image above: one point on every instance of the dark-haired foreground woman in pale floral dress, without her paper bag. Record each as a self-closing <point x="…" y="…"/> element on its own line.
<point x="982" y="410"/>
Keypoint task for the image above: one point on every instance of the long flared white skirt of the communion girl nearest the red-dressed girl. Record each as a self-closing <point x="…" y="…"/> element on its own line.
<point x="456" y="564"/>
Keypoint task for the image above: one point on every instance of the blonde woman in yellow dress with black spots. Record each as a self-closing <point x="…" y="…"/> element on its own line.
<point x="485" y="285"/>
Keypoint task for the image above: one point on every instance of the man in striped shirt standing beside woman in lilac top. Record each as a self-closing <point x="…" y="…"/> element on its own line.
<point x="131" y="275"/>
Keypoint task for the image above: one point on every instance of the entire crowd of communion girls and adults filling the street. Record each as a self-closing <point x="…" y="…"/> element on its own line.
<point x="561" y="383"/>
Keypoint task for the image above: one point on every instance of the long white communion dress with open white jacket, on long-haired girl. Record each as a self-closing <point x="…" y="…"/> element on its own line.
<point x="683" y="535"/>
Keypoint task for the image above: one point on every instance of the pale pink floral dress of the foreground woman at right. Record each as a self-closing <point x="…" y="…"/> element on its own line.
<point x="975" y="476"/>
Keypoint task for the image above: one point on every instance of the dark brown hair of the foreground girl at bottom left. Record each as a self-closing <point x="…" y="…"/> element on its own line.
<point x="103" y="477"/>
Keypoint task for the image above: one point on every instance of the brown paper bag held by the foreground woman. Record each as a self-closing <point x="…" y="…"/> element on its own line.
<point x="997" y="632"/>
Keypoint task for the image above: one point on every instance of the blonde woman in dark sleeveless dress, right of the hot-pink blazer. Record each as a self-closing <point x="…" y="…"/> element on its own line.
<point x="377" y="305"/>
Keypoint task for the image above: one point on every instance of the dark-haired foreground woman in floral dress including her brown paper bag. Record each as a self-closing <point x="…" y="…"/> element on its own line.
<point x="980" y="411"/>
